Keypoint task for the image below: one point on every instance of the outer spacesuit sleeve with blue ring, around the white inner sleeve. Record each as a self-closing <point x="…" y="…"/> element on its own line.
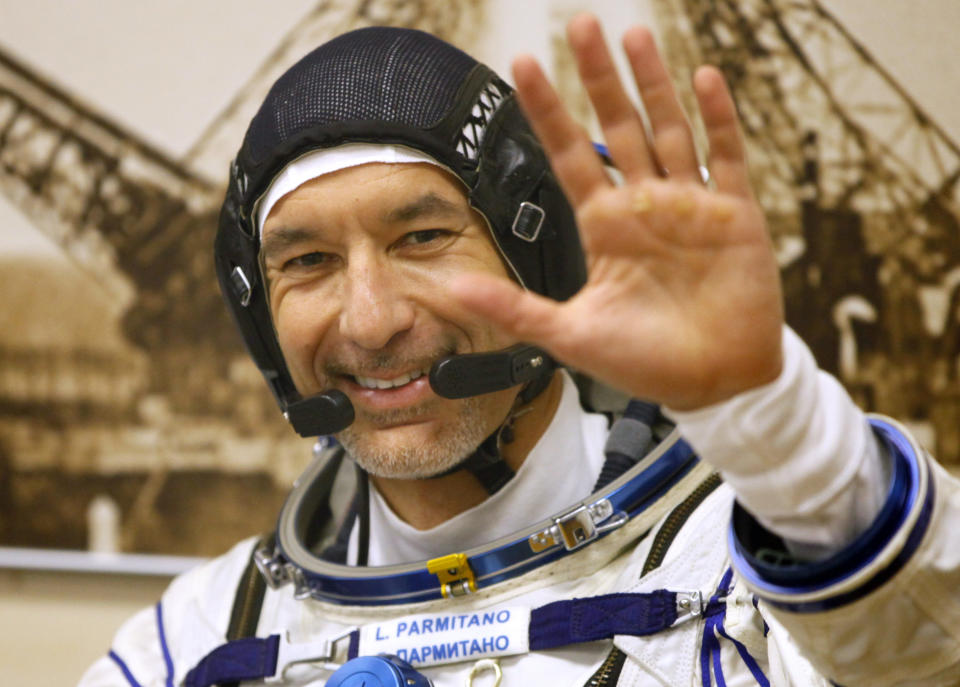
<point x="884" y="609"/>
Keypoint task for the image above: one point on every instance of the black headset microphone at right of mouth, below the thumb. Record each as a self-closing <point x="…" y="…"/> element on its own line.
<point x="473" y="374"/>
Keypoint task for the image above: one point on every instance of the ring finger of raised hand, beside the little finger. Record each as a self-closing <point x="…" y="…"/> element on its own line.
<point x="672" y="139"/>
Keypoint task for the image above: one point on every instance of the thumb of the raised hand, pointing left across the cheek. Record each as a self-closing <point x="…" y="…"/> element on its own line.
<point x="521" y="314"/>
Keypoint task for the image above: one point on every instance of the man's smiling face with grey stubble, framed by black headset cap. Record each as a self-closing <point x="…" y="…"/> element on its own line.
<point x="357" y="262"/>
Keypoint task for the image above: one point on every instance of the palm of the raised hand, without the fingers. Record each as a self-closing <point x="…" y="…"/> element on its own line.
<point x="682" y="298"/>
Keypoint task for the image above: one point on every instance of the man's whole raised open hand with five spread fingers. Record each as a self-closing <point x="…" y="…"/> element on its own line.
<point x="683" y="301"/>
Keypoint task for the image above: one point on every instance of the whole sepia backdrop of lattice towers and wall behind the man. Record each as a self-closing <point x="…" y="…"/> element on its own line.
<point x="136" y="436"/>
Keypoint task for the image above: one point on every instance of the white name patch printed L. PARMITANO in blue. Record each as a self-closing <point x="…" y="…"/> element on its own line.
<point x="435" y="638"/>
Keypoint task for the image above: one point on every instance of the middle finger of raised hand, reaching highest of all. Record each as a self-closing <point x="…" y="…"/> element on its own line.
<point x="622" y="126"/>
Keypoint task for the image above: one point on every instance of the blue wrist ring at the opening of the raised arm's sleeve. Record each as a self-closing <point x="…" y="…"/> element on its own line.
<point x="904" y="502"/>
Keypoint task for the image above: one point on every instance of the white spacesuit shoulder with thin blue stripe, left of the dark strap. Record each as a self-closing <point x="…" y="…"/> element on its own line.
<point x="157" y="646"/>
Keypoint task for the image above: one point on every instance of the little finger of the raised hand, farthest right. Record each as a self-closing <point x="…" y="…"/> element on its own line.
<point x="728" y="157"/>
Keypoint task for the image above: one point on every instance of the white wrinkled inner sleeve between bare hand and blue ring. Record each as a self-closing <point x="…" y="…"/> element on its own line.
<point x="798" y="453"/>
